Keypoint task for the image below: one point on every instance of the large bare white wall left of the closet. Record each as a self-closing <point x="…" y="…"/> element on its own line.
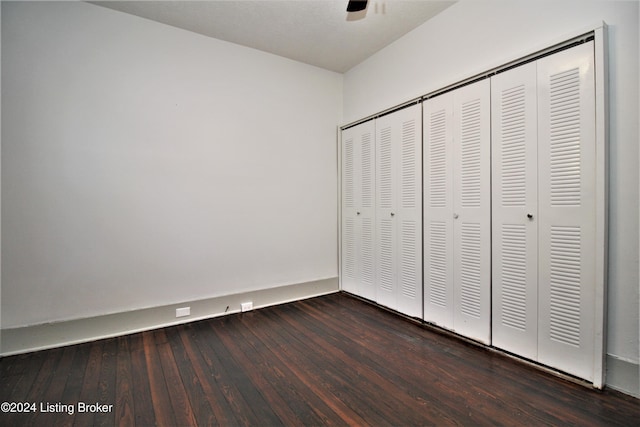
<point x="144" y="165"/>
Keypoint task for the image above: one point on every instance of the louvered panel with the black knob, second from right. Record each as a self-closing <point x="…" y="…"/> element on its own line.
<point x="514" y="199"/>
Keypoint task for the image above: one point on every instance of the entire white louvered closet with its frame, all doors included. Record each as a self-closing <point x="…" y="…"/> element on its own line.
<point x="482" y="210"/>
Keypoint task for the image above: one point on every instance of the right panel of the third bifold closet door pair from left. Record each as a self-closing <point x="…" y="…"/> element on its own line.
<point x="472" y="211"/>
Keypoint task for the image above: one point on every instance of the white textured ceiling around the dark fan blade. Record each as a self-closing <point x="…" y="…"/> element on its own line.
<point x="317" y="32"/>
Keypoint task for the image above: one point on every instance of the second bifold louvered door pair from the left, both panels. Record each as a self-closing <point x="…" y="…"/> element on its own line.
<point x="399" y="211"/>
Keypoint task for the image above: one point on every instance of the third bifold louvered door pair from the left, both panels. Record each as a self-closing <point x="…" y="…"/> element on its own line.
<point x="457" y="211"/>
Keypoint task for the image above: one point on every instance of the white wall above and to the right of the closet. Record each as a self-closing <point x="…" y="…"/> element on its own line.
<point x="474" y="36"/>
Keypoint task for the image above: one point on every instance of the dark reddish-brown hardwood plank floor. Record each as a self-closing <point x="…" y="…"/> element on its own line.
<point x="332" y="360"/>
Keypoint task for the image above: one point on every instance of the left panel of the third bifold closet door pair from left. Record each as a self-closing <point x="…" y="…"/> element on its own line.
<point x="438" y="210"/>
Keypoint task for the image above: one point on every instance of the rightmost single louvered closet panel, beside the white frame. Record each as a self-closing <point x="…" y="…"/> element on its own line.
<point x="567" y="156"/>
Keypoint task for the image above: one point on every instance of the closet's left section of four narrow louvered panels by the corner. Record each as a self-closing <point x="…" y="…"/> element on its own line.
<point x="382" y="210"/>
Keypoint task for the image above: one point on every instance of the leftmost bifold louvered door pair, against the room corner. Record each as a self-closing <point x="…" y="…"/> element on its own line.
<point x="358" y="206"/>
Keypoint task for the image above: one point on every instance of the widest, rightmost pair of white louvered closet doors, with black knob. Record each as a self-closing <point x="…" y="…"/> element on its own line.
<point x="544" y="210"/>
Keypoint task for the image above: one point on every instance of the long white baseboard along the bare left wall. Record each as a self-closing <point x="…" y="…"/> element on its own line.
<point x="40" y="337"/>
